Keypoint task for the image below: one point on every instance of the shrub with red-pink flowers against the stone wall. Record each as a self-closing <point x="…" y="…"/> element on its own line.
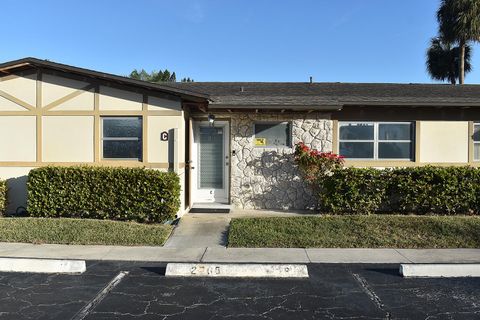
<point x="314" y="164"/>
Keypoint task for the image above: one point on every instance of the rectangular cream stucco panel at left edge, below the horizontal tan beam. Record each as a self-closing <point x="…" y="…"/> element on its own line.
<point x="18" y="138"/>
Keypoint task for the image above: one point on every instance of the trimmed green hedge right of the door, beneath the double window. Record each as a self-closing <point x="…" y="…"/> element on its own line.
<point x="419" y="190"/>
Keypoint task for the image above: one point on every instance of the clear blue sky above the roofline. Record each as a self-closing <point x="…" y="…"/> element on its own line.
<point x="237" y="40"/>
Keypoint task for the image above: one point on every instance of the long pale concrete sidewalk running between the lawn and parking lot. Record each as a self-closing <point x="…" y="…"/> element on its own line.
<point x="241" y="255"/>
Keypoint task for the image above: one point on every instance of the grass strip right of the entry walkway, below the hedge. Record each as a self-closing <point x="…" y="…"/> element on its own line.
<point x="374" y="231"/>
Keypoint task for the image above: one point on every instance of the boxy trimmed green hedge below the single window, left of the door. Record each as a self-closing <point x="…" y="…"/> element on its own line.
<point x="132" y="194"/>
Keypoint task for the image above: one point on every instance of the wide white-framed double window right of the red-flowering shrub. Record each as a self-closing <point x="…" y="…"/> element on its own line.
<point x="376" y="140"/>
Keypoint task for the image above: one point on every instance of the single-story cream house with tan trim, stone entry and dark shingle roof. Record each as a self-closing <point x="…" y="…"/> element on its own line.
<point x="230" y="143"/>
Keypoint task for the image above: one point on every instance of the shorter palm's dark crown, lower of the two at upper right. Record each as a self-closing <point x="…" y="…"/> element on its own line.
<point x="443" y="60"/>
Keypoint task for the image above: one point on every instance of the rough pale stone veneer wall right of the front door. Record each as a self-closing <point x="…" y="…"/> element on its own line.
<point x="267" y="178"/>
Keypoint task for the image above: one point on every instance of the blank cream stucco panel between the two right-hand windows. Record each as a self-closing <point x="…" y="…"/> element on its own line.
<point x="444" y="141"/>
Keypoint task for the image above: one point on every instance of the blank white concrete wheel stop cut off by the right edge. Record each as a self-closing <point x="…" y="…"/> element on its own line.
<point x="439" y="270"/>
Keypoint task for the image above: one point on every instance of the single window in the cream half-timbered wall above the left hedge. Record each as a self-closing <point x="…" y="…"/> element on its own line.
<point x="122" y="138"/>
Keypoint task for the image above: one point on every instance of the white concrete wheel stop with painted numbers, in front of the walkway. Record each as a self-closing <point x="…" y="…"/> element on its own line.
<point x="236" y="270"/>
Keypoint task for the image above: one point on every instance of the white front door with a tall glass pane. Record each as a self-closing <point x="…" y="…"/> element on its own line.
<point x="210" y="161"/>
